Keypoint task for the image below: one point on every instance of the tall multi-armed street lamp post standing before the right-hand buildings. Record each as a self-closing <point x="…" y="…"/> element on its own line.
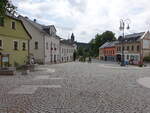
<point x="124" y="24"/>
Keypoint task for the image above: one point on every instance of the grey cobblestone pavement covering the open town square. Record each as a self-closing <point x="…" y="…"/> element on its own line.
<point x="76" y="88"/>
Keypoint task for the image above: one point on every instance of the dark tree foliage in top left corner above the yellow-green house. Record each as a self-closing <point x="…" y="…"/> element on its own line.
<point x="7" y="6"/>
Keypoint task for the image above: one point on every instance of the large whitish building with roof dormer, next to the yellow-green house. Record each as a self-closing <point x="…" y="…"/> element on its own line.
<point x="45" y="44"/>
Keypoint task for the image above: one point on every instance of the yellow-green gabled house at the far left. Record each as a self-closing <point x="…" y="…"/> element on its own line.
<point x="14" y="42"/>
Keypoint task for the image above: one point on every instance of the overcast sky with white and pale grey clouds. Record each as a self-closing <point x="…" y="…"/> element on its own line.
<point x="86" y="18"/>
